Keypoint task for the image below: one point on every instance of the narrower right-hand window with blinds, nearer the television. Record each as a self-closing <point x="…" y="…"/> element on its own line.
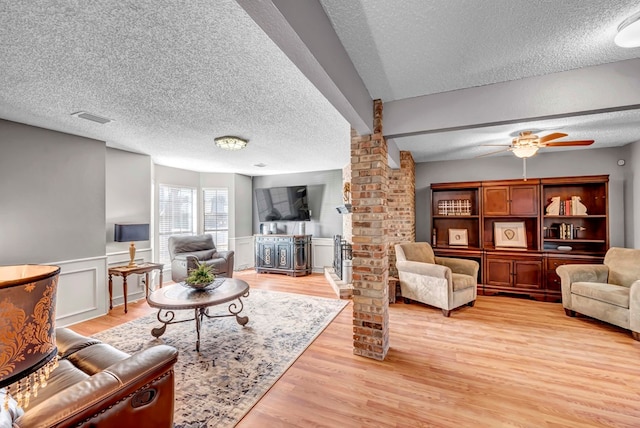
<point x="215" y="203"/>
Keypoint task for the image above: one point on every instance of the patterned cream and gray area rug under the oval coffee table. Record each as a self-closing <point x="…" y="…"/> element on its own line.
<point x="236" y="365"/>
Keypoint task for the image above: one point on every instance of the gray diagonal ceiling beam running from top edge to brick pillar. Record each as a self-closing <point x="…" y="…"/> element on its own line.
<point x="302" y="30"/>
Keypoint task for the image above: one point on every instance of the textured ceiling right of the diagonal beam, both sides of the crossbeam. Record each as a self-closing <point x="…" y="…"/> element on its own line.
<point x="425" y="47"/>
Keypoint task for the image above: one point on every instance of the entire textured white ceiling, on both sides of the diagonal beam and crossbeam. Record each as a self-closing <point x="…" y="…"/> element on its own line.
<point x="174" y="75"/>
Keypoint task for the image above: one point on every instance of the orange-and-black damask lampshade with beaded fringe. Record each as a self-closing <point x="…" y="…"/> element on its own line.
<point x="28" y="351"/>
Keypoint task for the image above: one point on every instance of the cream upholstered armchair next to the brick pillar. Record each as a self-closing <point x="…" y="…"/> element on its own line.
<point x="443" y="282"/>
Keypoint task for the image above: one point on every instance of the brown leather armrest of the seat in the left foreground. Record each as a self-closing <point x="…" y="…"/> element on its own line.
<point x="139" y="388"/>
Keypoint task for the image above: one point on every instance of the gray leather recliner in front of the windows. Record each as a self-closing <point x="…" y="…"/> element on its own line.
<point x="186" y="252"/>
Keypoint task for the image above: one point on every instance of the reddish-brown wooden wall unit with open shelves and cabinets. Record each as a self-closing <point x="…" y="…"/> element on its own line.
<point x="549" y="236"/>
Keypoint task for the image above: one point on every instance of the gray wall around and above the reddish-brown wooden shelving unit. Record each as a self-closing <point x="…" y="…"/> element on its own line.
<point x="549" y="164"/>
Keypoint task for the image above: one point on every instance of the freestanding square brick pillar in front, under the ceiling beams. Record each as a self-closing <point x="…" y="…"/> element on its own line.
<point x="369" y="187"/>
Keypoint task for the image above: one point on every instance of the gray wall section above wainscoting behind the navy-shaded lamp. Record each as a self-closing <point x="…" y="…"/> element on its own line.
<point x="128" y="194"/>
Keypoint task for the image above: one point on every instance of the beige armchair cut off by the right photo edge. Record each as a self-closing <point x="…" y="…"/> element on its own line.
<point x="609" y="292"/>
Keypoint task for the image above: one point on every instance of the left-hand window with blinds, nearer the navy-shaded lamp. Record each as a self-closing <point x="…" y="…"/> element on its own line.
<point x="176" y="216"/>
